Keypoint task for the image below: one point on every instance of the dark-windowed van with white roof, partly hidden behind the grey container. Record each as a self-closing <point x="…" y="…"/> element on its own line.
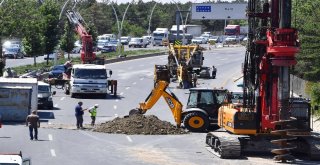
<point x="45" y="95"/>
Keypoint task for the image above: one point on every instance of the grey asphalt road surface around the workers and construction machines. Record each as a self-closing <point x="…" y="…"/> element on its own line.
<point x="135" y="79"/>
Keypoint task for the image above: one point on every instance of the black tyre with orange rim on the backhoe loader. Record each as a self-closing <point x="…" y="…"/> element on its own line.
<point x="196" y="122"/>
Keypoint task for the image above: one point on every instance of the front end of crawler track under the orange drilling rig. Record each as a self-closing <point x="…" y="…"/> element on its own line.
<point x="223" y="144"/>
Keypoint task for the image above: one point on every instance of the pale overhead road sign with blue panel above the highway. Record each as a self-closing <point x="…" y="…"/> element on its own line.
<point x="218" y="11"/>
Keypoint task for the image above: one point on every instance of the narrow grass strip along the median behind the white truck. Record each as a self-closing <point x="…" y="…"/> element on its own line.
<point x="43" y="65"/>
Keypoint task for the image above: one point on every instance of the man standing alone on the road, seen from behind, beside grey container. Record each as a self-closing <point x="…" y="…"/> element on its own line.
<point x="33" y="122"/>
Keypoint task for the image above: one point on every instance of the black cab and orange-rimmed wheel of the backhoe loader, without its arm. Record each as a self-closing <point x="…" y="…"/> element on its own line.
<point x="202" y="108"/>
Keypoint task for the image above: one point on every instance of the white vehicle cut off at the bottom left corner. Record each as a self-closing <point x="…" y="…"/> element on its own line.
<point x="14" y="159"/>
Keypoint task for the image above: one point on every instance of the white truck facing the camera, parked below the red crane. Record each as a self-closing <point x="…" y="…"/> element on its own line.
<point x="90" y="79"/>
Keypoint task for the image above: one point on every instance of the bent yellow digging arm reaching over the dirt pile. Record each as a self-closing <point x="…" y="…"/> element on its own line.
<point x="158" y="91"/>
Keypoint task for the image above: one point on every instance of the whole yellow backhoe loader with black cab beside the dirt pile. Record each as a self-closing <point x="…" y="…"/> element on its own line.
<point x="200" y="113"/>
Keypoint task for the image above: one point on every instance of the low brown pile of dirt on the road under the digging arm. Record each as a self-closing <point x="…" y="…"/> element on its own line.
<point x="139" y="124"/>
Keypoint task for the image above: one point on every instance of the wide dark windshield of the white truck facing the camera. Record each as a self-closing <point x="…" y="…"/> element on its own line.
<point x="90" y="73"/>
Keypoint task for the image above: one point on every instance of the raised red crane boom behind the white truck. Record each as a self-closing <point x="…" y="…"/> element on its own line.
<point x="87" y="53"/>
